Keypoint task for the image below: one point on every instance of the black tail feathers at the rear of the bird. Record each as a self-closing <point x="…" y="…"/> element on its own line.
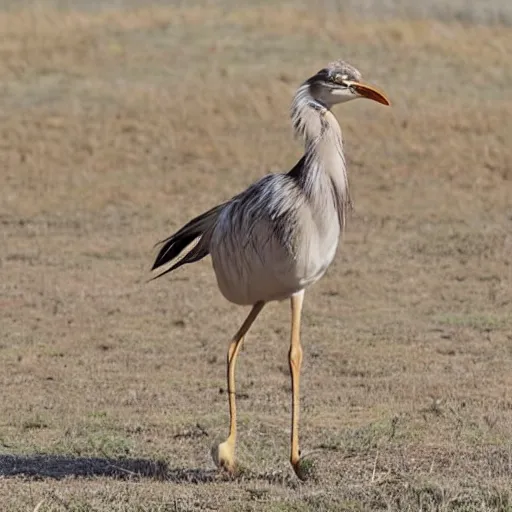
<point x="176" y="243"/>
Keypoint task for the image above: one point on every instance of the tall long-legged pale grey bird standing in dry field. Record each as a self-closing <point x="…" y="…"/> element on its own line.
<point x="279" y="236"/>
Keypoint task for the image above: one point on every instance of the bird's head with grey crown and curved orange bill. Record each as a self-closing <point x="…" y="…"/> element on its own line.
<point x="340" y="82"/>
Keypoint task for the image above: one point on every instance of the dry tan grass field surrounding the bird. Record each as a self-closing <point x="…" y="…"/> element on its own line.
<point x="118" y="125"/>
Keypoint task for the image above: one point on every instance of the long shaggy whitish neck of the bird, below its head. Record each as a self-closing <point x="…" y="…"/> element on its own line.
<point x="323" y="169"/>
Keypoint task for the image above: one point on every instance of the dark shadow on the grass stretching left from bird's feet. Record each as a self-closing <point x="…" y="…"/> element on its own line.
<point x="42" y="466"/>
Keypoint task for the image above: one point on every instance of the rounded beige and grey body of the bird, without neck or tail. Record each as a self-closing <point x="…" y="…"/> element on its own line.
<point x="268" y="243"/>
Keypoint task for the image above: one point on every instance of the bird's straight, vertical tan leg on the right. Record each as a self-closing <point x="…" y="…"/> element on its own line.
<point x="295" y="360"/>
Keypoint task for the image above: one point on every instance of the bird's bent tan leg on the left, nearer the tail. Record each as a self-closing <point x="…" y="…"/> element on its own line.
<point x="224" y="453"/>
